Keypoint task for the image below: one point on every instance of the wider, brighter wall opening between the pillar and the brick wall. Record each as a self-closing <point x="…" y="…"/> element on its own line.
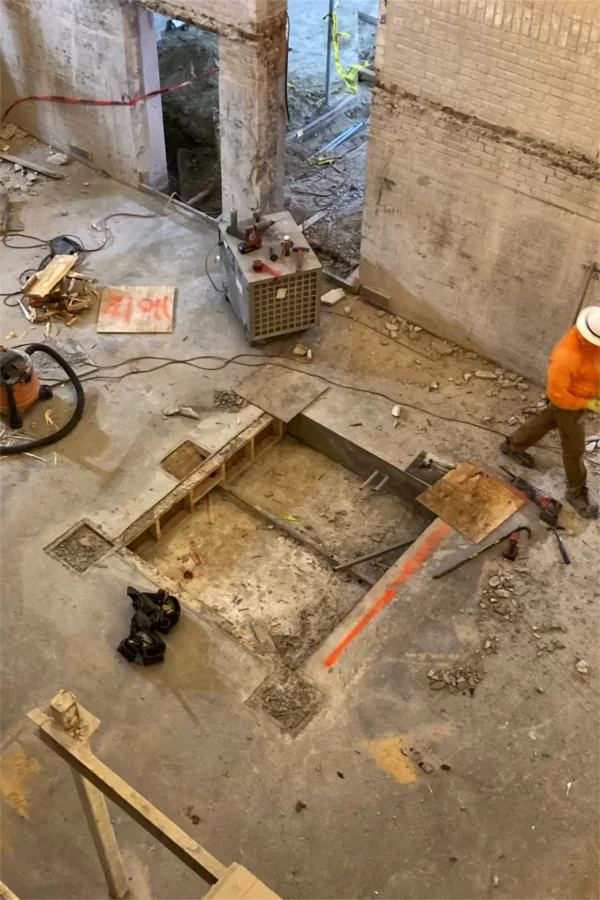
<point x="331" y="195"/>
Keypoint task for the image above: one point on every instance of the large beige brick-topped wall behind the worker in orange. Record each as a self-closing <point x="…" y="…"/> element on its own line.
<point x="482" y="195"/>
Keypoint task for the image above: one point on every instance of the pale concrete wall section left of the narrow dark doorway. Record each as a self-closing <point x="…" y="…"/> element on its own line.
<point x="91" y="49"/>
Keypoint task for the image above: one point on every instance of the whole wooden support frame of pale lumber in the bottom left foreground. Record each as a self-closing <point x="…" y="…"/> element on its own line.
<point x="66" y="729"/>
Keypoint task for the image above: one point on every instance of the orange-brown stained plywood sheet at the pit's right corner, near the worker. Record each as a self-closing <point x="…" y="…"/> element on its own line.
<point x="471" y="501"/>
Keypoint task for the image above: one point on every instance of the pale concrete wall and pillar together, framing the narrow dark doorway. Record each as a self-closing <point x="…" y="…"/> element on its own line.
<point x="101" y="49"/>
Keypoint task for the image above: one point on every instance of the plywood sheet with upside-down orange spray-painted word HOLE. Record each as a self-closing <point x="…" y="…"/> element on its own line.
<point x="143" y="309"/>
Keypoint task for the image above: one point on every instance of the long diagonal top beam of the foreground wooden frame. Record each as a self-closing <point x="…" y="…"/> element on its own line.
<point x="82" y="760"/>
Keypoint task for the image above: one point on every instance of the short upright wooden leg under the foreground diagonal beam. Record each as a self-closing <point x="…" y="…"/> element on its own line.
<point x="103" y="835"/>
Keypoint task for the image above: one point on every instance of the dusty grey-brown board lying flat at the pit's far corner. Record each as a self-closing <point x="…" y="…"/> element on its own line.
<point x="282" y="393"/>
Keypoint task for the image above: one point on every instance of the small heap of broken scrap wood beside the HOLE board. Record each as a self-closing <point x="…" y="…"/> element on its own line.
<point x="57" y="292"/>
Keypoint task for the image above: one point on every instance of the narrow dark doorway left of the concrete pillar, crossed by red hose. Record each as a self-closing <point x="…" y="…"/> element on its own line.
<point x="190" y="115"/>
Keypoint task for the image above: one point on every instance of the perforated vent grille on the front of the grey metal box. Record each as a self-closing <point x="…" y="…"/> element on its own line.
<point x="270" y="316"/>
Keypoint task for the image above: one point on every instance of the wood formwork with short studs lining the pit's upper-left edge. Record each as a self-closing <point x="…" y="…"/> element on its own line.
<point x="223" y="466"/>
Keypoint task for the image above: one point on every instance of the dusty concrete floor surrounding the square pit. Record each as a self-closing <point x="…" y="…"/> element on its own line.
<point x="519" y="801"/>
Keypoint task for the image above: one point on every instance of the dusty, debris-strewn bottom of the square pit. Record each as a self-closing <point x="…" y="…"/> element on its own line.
<point x="260" y="580"/>
